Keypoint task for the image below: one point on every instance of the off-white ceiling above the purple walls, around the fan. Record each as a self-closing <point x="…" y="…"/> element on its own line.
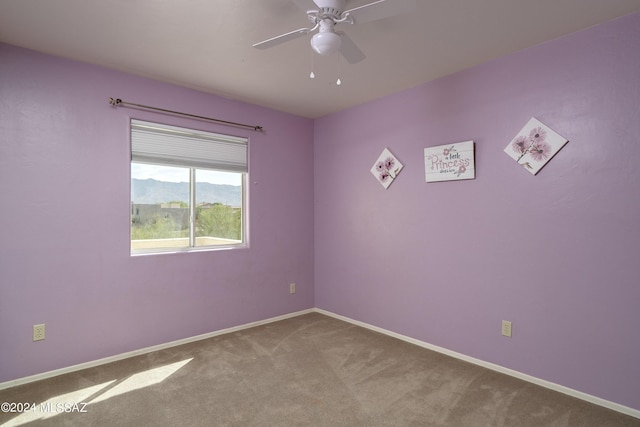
<point x="207" y="44"/>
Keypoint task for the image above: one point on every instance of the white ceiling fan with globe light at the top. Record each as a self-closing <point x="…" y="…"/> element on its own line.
<point x="328" y="14"/>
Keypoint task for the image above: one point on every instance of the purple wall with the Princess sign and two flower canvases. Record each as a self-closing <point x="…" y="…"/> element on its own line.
<point x="556" y="254"/>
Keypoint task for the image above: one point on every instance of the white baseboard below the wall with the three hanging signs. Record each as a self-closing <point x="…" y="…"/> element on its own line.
<point x="547" y="384"/>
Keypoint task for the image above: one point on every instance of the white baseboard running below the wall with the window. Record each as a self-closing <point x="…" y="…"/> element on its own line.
<point x="115" y="358"/>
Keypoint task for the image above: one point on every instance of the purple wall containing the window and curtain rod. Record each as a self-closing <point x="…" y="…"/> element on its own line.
<point x="64" y="251"/>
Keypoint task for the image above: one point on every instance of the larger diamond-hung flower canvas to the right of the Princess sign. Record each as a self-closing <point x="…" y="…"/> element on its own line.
<point x="535" y="145"/>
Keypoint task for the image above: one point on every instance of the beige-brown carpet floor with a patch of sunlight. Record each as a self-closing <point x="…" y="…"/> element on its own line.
<point x="310" y="370"/>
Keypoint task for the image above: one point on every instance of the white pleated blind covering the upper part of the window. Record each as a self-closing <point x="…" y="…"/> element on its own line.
<point x="175" y="146"/>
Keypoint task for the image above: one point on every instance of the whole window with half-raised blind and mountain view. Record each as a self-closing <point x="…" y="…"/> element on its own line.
<point x="188" y="189"/>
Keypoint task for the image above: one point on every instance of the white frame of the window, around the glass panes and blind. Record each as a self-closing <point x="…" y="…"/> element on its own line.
<point x="192" y="172"/>
